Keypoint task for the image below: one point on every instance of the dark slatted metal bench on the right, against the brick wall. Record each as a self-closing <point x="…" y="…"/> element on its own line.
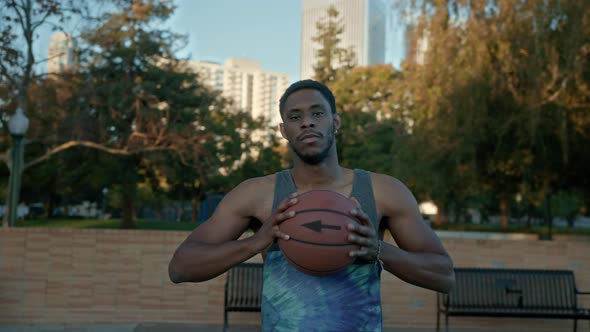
<point x="519" y="293"/>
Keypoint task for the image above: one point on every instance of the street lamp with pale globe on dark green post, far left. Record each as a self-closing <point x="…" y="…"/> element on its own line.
<point x="17" y="125"/>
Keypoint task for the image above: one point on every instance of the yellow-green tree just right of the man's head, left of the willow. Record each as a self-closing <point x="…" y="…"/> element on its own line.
<point x="369" y="101"/>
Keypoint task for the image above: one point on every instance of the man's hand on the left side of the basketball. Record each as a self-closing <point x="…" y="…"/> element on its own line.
<point x="270" y="228"/>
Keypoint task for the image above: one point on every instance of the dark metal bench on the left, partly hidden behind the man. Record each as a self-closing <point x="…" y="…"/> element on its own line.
<point x="243" y="289"/>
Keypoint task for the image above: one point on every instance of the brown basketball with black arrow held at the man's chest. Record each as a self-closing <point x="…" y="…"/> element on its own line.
<point x="318" y="242"/>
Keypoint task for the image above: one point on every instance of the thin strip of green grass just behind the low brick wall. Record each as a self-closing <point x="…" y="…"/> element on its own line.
<point x="189" y="226"/>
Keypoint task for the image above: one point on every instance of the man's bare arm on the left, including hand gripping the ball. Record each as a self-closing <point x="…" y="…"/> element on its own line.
<point x="214" y="247"/>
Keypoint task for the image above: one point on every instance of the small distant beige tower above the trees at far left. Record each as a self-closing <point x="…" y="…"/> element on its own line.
<point x="62" y="53"/>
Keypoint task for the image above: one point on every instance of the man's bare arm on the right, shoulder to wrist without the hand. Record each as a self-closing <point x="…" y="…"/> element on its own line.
<point x="421" y="258"/>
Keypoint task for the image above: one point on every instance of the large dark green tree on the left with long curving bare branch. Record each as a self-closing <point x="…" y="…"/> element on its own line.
<point x="135" y="105"/>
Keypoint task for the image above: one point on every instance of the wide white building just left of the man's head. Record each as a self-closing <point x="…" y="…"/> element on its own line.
<point x="244" y="82"/>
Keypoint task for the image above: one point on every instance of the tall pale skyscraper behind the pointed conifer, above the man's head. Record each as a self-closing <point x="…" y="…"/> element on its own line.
<point x="364" y="29"/>
